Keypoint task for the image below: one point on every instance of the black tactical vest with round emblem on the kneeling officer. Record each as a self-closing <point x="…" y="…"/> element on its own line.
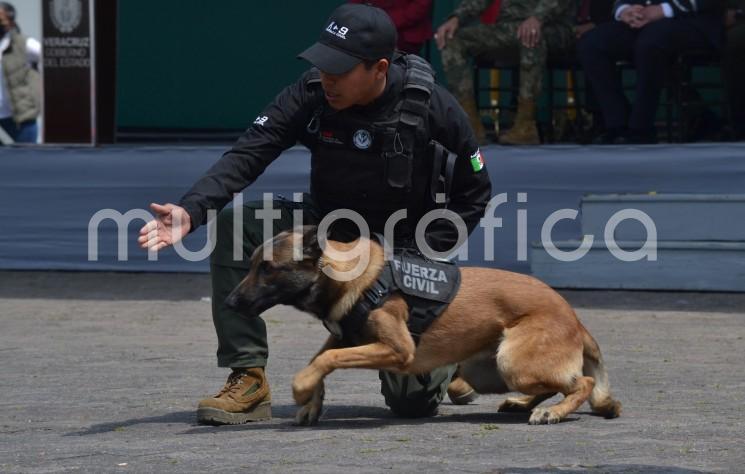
<point x="377" y="167"/>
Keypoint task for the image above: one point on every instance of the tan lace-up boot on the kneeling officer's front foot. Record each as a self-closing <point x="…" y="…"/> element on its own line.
<point x="244" y="397"/>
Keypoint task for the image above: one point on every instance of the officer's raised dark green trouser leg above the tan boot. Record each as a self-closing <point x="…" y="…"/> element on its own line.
<point x="241" y="341"/>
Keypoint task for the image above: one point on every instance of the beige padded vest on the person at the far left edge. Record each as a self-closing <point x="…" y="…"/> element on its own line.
<point x="22" y="81"/>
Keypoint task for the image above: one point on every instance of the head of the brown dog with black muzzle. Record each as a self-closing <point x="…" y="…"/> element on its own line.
<point x="286" y="277"/>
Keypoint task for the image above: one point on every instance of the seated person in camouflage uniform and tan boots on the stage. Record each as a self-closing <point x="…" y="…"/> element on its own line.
<point x="525" y="28"/>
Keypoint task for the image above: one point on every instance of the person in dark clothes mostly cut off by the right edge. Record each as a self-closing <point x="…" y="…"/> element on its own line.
<point x="733" y="64"/>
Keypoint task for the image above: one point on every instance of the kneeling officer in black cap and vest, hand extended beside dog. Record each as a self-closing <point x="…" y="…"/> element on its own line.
<point x="378" y="128"/>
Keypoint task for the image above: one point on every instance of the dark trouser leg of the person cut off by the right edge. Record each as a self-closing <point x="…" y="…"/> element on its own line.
<point x="733" y="67"/>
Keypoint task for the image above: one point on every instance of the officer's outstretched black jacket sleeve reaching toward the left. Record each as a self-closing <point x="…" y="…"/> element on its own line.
<point x="274" y="130"/>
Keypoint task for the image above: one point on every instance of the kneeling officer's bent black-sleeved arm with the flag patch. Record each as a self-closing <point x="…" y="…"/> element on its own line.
<point x="471" y="188"/>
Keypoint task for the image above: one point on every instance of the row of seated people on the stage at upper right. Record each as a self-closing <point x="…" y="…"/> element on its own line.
<point x="601" y="38"/>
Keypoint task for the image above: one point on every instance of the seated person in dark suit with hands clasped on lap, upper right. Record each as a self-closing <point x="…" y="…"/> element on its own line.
<point x="650" y="33"/>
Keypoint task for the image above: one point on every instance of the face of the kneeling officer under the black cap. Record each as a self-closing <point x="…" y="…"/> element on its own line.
<point x="359" y="86"/>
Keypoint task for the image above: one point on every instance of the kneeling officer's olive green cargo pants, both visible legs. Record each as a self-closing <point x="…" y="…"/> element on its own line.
<point x="242" y="342"/>
